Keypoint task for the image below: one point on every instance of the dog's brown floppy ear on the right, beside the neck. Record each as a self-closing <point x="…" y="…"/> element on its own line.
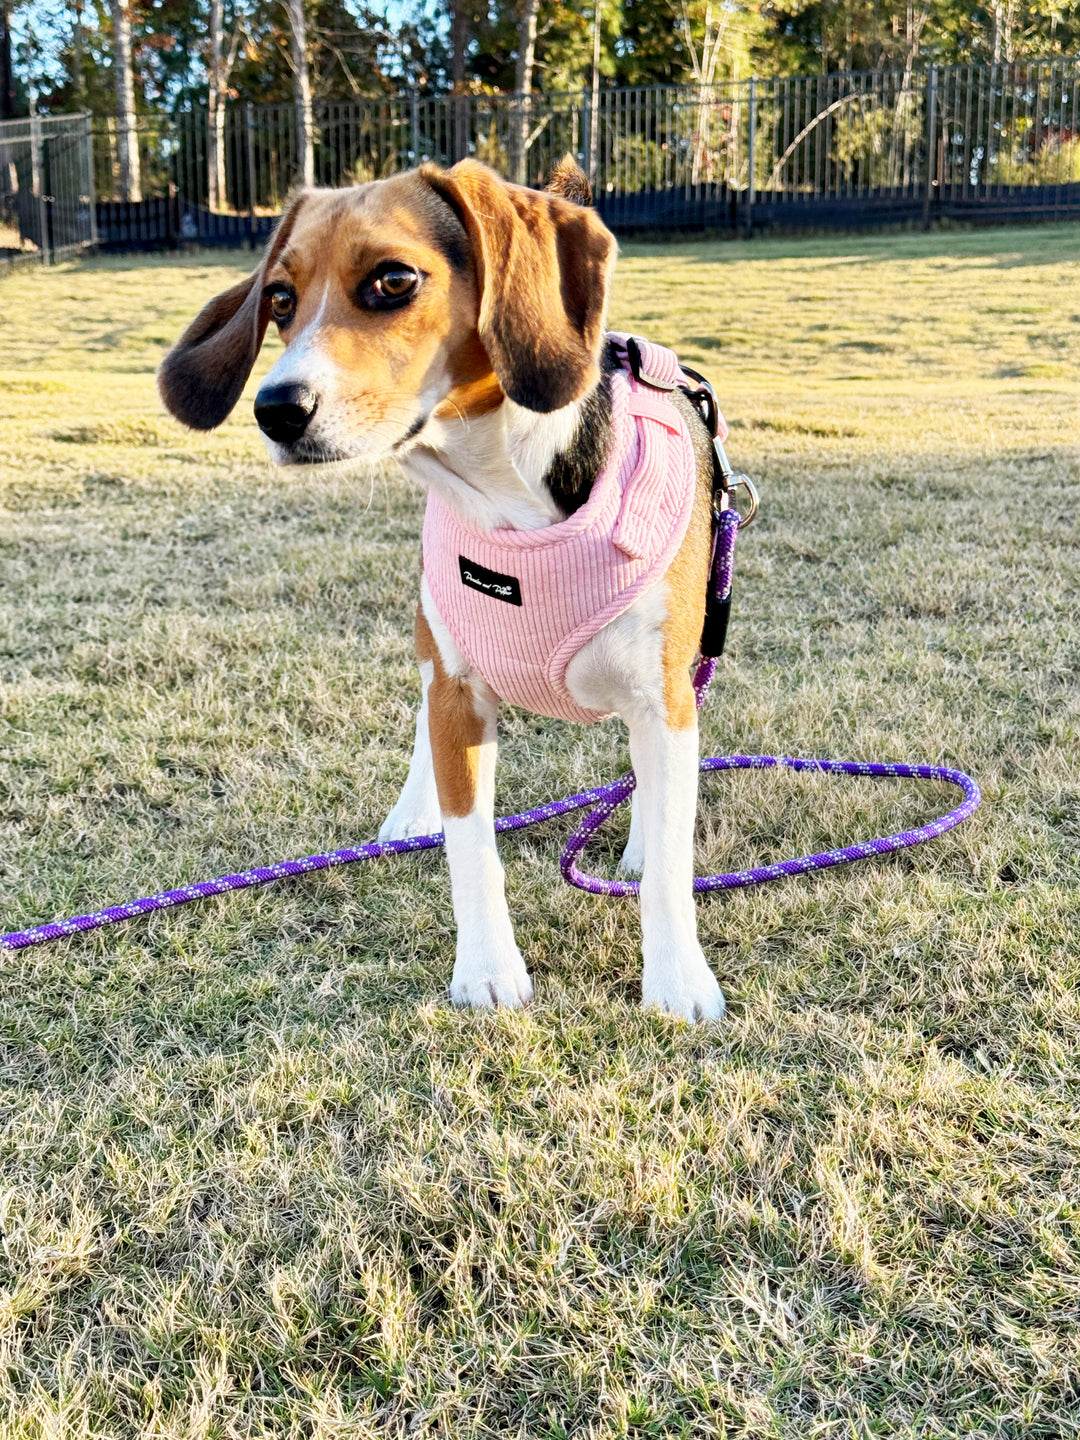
<point x="544" y="267"/>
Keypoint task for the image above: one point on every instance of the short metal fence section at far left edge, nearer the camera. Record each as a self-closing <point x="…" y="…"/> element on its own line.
<point x="47" y="191"/>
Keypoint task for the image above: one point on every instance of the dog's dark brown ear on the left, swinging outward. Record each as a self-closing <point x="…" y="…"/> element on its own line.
<point x="202" y="377"/>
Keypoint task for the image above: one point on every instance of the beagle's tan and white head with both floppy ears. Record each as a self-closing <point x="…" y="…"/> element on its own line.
<point x="433" y="293"/>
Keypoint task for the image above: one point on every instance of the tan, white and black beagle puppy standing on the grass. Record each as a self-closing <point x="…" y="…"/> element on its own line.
<point x="457" y="323"/>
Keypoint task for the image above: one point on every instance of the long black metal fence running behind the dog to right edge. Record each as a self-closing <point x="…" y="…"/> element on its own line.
<point x="978" y="143"/>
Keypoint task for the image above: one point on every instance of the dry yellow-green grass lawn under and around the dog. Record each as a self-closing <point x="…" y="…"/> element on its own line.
<point x="257" y="1179"/>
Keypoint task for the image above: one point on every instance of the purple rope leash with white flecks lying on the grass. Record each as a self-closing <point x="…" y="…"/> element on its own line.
<point x="606" y="798"/>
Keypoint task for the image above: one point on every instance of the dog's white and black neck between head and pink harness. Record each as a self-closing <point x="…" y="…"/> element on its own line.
<point x="515" y="469"/>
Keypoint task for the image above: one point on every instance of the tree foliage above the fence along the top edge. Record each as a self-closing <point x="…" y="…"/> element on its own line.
<point x="359" y="48"/>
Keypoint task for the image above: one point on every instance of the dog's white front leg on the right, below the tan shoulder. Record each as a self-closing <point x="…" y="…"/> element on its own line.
<point x="676" y="976"/>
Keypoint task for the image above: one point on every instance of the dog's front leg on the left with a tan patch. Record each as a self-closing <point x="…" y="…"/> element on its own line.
<point x="489" y="970"/>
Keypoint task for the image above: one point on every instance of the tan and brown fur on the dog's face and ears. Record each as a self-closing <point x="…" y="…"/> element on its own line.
<point x="523" y="319"/>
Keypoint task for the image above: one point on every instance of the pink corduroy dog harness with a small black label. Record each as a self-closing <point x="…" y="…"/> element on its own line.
<point x="521" y="604"/>
